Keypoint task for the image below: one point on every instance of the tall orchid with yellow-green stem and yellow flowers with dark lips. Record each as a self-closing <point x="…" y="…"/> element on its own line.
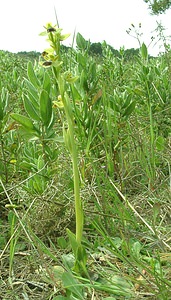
<point x="52" y="58"/>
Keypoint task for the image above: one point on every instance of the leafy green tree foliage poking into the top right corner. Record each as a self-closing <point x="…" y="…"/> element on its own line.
<point x="158" y="6"/>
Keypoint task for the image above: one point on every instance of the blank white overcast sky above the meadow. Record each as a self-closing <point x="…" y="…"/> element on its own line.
<point x="21" y="21"/>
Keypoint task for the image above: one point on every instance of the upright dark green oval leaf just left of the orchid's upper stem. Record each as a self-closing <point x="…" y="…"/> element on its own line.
<point x="45" y="108"/>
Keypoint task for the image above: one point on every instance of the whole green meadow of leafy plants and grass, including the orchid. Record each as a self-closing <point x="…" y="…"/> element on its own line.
<point x="85" y="172"/>
